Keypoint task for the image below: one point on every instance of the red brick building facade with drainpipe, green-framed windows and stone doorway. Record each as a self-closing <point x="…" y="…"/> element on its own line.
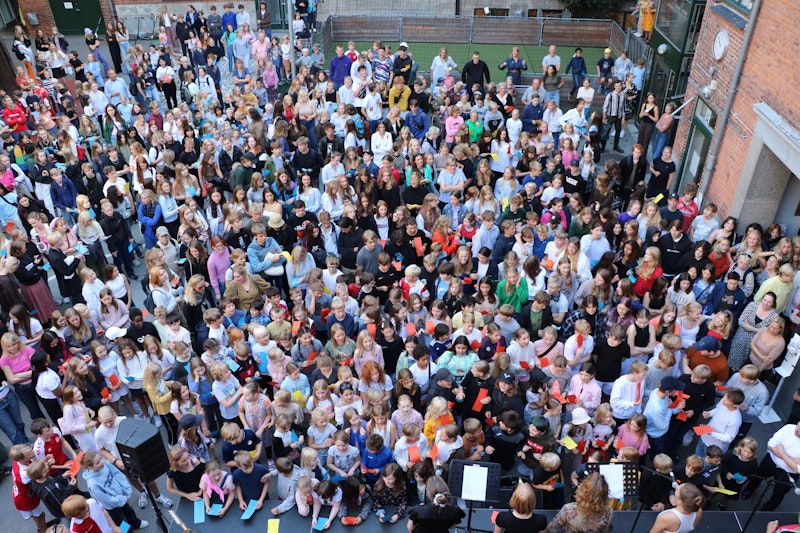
<point x="756" y="172"/>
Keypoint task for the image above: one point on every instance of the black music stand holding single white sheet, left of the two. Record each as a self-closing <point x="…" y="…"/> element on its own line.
<point x="474" y="481"/>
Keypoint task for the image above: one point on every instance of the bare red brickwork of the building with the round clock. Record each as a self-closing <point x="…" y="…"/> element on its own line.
<point x="769" y="76"/>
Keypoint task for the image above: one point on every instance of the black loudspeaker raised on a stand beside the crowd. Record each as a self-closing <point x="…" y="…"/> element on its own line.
<point x="142" y="449"/>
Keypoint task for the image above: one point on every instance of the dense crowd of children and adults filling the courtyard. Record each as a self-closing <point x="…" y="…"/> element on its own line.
<point x="356" y="283"/>
